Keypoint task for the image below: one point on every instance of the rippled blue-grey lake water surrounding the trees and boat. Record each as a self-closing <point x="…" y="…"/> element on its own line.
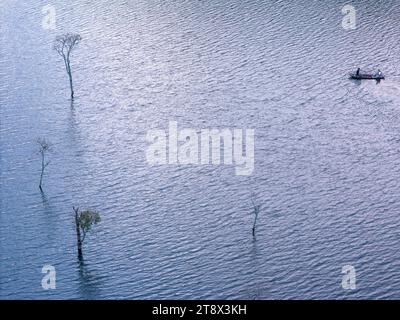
<point x="327" y="165"/>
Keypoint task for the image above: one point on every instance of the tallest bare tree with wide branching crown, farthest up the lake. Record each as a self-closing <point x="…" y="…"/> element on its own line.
<point x="64" y="45"/>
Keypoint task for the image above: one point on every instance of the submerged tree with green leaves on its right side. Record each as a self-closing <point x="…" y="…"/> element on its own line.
<point x="84" y="221"/>
